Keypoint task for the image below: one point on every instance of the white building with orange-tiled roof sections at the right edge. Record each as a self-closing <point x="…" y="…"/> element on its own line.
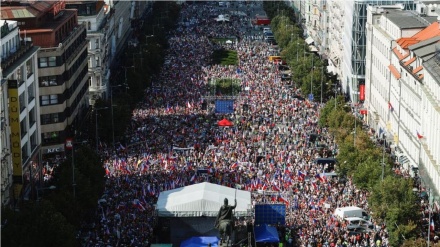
<point x="402" y="94"/>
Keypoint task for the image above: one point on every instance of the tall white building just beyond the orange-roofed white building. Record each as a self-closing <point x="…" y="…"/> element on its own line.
<point x="343" y="35"/>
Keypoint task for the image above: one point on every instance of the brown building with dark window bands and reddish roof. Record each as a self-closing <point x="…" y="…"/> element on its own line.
<point x="62" y="67"/>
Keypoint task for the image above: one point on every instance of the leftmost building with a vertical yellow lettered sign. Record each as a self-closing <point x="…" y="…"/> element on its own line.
<point x="20" y="124"/>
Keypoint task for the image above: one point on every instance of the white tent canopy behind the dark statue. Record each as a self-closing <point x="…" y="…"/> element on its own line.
<point x="203" y="199"/>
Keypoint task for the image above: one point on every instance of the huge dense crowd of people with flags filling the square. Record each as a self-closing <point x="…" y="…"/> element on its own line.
<point x="268" y="149"/>
